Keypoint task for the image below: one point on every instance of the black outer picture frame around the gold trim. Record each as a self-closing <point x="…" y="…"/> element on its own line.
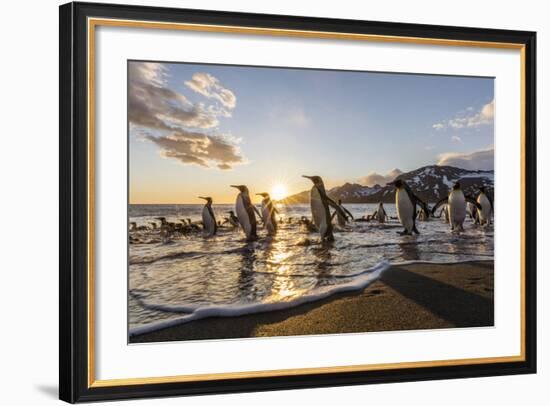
<point x="74" y="385"/>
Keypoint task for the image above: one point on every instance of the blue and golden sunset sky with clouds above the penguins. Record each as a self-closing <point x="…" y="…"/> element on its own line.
<point x="195" y="129"/>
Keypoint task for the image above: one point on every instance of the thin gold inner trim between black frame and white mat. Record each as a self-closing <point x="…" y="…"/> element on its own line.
<point x="94" y="22"/>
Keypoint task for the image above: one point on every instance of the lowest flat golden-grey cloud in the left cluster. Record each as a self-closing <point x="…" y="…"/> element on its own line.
<point x="194" y="148"/>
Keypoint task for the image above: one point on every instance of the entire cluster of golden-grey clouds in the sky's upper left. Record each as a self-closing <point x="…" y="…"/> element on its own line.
<point x="176" y="125"/>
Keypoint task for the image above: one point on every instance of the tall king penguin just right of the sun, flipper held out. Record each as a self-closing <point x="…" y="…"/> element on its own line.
<point x="320" y="208"/>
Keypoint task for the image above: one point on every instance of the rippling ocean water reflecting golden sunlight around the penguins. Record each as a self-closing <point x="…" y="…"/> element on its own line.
<point x="182" y="278"/>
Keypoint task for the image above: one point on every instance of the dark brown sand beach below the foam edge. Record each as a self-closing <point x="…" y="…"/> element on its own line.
<point x="406" y="297"/>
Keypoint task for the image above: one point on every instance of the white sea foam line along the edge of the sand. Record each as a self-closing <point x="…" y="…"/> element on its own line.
<point x="196" y="312"/>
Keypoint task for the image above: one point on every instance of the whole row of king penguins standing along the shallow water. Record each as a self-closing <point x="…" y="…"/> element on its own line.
<point x="455" y="207"/>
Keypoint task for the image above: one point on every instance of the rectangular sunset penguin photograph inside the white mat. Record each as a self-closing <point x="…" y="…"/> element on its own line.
<point x="280" y="201"/>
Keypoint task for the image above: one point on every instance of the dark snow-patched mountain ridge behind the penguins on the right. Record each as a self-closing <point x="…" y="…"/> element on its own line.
<point x="430" y="183"/>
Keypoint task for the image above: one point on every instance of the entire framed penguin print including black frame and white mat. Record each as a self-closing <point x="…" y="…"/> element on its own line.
<point x="255" y="202"/>
